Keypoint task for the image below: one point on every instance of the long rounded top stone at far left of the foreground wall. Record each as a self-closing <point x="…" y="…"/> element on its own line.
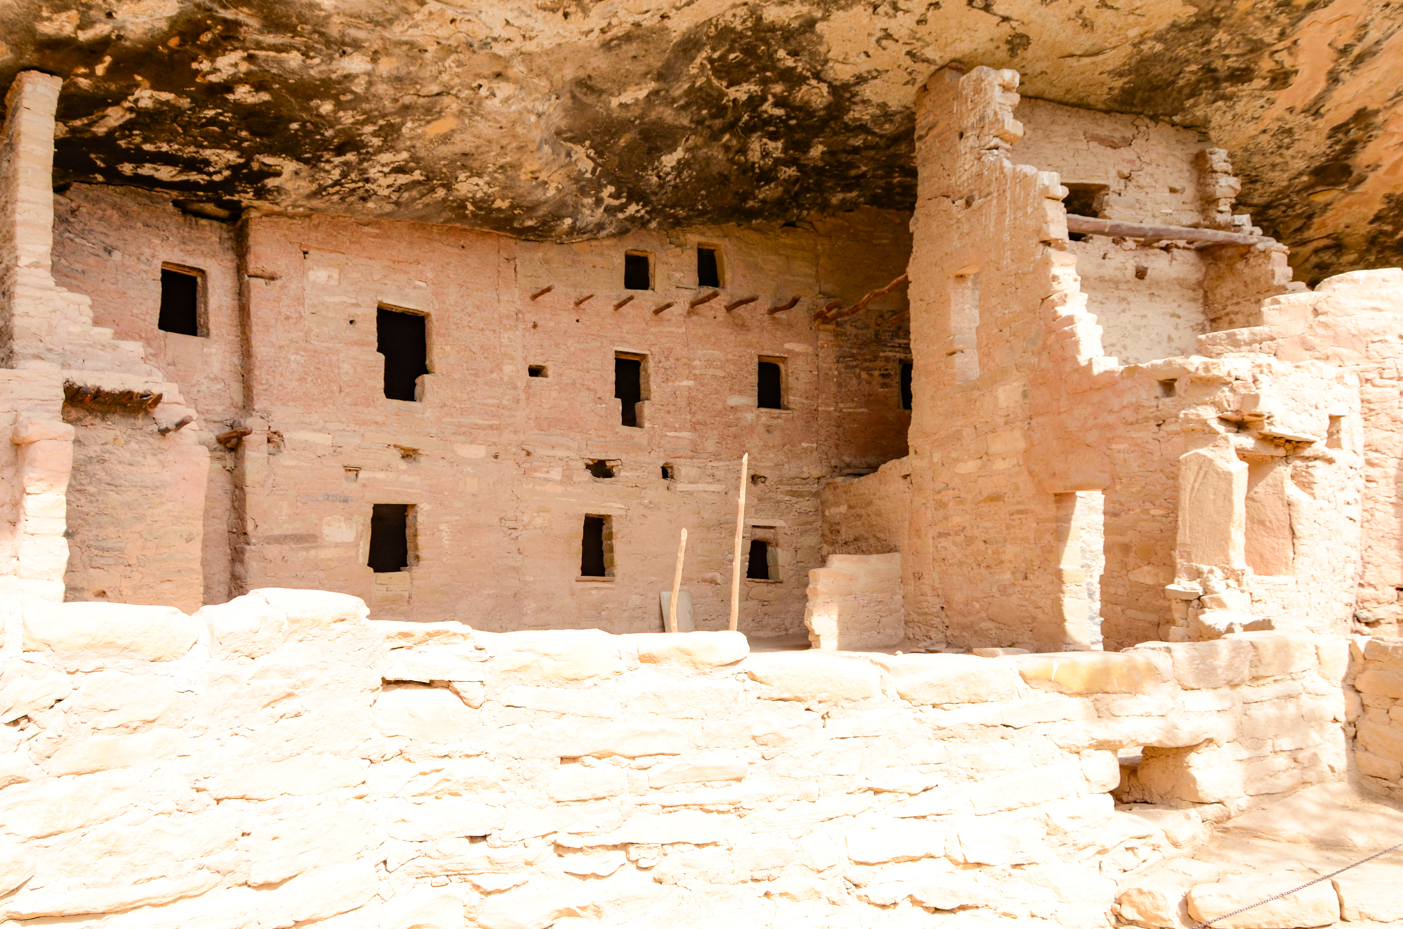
<point x="85" y="635"/>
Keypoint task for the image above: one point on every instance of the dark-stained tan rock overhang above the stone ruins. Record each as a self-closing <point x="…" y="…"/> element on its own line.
<point x="575" y="119"/>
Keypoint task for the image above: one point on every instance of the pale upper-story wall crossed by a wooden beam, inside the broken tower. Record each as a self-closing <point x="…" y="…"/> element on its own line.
<point x="1151" y="300"/>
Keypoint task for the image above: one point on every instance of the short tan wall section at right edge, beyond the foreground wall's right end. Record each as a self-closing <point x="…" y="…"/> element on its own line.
<point x="1378" y="732"/>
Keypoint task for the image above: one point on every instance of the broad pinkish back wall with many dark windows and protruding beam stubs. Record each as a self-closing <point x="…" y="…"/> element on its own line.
<point x="495" y="461"/>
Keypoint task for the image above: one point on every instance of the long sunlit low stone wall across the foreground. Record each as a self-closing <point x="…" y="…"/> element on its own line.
<point x="283" y="761"/>
